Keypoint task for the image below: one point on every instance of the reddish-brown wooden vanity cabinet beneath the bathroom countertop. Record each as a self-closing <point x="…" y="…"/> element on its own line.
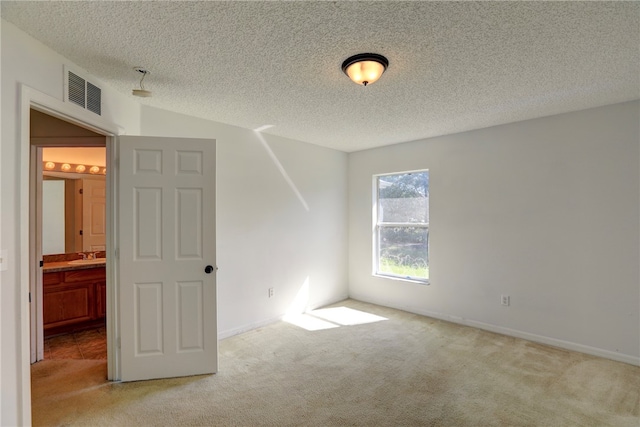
<point x="73" y="300"/>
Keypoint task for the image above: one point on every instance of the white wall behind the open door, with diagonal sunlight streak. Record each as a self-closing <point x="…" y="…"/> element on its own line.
<point x="266" y="237"/>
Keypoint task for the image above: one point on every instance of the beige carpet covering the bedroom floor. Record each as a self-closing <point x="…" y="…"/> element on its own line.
<point x="407" y="370"/>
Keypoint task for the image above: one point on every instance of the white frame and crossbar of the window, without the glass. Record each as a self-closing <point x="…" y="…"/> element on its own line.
<point x="377" y="225"/>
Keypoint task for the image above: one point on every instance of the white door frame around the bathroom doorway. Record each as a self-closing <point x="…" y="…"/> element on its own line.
<point x="29" y="266"/>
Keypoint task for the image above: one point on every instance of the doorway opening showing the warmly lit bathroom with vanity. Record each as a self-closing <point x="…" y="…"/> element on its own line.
<point x="69" y="168"/>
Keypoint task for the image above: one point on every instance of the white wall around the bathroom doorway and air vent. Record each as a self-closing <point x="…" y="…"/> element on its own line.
<point x="25" y="60"/>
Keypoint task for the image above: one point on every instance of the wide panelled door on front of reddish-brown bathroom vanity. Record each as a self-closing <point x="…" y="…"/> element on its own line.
<point x="68" y="304"/>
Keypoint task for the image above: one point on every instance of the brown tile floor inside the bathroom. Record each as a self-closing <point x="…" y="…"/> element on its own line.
<point x="88" y="344"/>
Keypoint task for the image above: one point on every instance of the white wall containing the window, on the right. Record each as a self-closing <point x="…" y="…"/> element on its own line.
<point x="545" y="210"/>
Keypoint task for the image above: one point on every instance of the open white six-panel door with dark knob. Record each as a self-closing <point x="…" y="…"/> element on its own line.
<point x="167" y="279"/>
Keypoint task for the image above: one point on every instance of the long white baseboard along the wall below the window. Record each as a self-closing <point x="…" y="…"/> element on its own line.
<point x="567" y="345"/>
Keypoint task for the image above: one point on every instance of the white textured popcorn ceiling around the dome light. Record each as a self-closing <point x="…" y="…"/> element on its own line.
<point x="454" y="66"/>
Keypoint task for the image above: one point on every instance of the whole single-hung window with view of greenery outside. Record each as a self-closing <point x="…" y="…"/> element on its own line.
<point x="401" y="234"/>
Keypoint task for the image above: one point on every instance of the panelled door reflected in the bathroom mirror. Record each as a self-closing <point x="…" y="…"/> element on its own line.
<point x="94" y="214"/>
